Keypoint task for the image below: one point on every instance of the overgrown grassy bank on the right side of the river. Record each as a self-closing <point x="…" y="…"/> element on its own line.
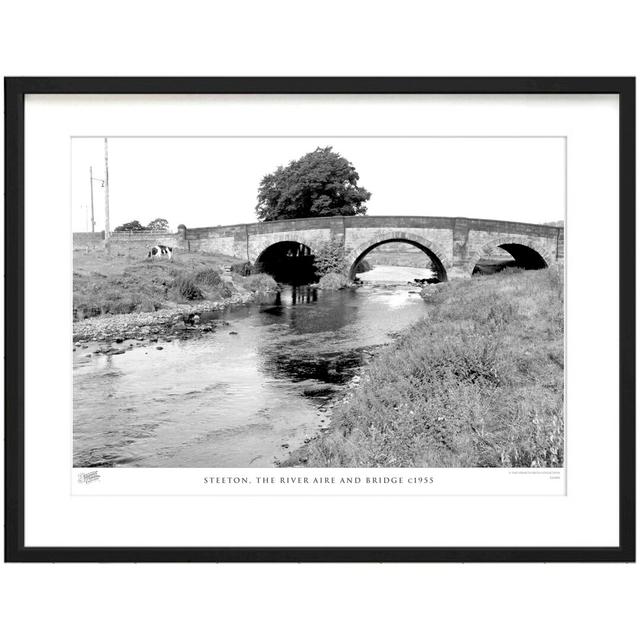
<point x="478" y="383"/>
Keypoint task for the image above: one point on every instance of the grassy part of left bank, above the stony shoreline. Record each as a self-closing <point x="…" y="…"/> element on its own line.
<point x="122" y="284"/>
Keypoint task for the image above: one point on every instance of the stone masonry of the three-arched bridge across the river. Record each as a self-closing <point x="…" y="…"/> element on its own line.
<point x="455" y="245"/>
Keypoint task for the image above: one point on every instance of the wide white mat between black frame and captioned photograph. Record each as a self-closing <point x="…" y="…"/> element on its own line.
<point x="55" y="518"/>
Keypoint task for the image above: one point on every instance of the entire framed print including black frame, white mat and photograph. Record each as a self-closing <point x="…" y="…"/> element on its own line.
<point x="386" y="317"/>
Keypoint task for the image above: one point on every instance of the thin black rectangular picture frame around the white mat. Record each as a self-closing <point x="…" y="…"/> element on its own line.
<point x="15" y="91"/>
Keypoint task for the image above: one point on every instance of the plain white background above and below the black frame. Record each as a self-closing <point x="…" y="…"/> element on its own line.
<point x="544" y="37"/>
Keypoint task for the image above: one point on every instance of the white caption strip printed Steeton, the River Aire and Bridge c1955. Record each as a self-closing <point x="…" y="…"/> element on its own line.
<point x="318" y="482"/>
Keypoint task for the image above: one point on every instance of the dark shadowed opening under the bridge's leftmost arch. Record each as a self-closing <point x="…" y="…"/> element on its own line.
<point x="288" y="262"/>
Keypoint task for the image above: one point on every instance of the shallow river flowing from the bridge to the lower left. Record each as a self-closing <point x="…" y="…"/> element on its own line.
<point x="242" y="396"/>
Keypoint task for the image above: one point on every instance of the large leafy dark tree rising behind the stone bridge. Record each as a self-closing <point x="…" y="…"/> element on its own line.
<point x="320" y="184"/>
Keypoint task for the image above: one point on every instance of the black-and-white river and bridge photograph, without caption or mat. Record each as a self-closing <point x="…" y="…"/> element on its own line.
<point x="318" y="301"/>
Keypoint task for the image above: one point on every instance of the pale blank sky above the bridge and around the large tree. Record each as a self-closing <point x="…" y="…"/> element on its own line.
<point x="208" y="181"/>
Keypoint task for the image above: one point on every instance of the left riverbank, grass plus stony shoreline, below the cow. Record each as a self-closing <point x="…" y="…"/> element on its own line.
<point x="119" y="298"/>
